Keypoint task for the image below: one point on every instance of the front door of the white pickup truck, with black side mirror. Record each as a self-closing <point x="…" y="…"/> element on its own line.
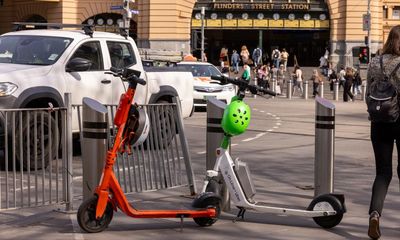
<point x="90" y="81"/>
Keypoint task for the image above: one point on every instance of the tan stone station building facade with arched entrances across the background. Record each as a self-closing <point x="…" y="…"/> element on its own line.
<point x="304" y="27"/>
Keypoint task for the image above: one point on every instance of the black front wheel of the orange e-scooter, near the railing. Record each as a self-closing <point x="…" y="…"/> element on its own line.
<point x="87" y="216"/>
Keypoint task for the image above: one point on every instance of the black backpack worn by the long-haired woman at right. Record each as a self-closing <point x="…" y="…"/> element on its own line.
<point x="382" y="100"/>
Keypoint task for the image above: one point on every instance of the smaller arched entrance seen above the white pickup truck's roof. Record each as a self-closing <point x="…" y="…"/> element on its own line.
<point x="109" y="22"/>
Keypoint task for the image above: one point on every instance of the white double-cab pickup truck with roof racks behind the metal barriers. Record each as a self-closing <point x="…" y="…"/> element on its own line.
<point x="38" y="66"/>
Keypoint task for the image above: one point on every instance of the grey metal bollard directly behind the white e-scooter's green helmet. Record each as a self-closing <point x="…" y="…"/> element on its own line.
<point x="215" y="135"/>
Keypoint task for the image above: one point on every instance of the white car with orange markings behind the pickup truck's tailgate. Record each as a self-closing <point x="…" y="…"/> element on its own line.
<point x="203" y="86"/>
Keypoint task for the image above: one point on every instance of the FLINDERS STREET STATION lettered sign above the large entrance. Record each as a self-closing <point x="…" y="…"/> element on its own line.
<point x="262" y="6"/>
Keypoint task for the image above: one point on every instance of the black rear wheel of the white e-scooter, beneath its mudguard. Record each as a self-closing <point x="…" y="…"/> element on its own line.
<point x="330" y="203"/>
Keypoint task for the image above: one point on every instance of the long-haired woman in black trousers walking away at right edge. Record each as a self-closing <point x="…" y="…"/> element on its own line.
<point x="384" y="135"/>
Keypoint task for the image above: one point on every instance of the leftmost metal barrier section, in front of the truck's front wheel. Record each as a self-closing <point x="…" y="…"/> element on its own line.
<point x="33" y="157"/>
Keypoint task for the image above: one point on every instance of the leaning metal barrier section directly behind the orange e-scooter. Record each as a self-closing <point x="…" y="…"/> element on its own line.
<point x="163" y="160"/>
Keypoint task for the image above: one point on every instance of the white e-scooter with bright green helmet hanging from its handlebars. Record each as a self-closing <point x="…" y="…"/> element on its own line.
<point x="327" y="210"/>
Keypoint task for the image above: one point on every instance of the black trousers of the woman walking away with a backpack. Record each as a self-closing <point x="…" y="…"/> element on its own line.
<point x="383" y="137"/>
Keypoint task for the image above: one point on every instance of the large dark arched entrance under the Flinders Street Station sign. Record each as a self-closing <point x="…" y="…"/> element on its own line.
<point x="301" y="27"/>
